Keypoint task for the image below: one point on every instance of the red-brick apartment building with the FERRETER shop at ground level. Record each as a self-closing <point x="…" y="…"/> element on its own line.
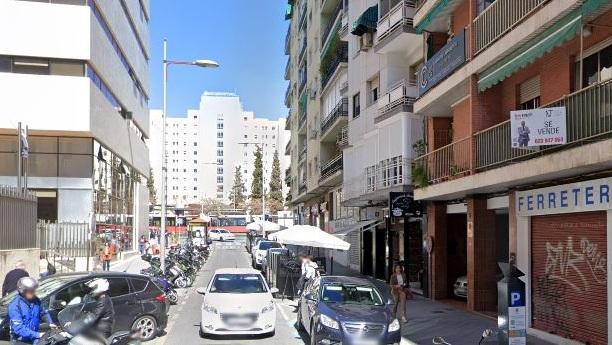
<point x="497" y="192"/>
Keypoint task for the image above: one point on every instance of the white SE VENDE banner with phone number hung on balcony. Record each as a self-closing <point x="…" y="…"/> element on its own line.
<point x="538" y="127"/>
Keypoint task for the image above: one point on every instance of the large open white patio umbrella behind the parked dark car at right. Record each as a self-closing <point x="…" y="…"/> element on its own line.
<point x="309" y="236"/>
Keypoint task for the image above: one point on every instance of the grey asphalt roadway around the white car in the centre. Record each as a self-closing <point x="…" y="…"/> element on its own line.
<point x="185" y="318"/>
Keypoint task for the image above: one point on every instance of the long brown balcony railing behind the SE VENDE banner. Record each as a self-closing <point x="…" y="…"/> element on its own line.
<point x="589" y="118"/>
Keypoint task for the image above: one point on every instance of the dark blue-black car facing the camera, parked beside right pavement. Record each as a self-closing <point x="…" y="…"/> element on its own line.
<point x="348" y="311"/>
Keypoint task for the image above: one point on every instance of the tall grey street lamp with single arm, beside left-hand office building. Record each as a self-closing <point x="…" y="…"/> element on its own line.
<point x="197" y="63"/>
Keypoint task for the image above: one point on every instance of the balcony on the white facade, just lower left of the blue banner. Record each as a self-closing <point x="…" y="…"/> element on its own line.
<point x="400" y="98"/>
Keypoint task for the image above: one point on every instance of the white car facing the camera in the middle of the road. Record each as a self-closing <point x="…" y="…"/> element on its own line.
<point x="237" y="301"/>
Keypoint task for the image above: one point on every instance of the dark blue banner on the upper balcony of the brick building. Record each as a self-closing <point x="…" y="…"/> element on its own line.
<point x="442" y="63"/>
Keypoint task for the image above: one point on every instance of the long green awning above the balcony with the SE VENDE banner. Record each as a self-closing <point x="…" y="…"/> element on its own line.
<point x="562" y="31"/>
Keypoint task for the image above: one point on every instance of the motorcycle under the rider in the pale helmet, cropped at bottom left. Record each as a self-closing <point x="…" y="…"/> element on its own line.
<point x="73" y="323"/>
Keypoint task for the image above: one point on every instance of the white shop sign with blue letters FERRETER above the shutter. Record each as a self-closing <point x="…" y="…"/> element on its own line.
<point x="593" y="195"/>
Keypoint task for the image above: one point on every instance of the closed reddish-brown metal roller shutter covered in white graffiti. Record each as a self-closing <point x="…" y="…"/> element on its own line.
<point x="569" y="275"/>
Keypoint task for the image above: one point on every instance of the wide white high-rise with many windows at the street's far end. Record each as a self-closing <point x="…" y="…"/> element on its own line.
<point x="205" y="147"/>
